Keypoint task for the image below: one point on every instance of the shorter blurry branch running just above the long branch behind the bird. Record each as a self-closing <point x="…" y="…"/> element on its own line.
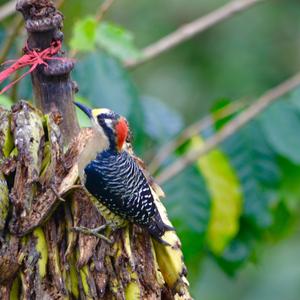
<point x="191" y="131"/>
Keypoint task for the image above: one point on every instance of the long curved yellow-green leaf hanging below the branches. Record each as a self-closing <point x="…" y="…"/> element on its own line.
<point x="226" y="197"/>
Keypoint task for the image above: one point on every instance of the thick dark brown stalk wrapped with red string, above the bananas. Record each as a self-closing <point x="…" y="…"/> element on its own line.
<point x="53" y="88"/>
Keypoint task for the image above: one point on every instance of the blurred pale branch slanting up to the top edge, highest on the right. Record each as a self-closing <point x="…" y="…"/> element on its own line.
<point x="190" y="30"/>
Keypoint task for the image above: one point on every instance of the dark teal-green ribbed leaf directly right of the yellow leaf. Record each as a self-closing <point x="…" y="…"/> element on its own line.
<point x="256" y="167"/>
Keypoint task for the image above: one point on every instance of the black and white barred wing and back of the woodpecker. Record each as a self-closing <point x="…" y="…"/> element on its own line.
<point x="117" y="181"/>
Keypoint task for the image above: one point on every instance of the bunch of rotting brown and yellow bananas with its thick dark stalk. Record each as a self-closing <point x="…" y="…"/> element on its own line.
<point x="41" y="257"/>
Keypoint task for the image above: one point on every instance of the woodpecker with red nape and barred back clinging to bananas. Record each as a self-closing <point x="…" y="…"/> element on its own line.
<point x="112" y="176"/>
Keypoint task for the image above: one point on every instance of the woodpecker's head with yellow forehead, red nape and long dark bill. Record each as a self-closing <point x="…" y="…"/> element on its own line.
<point x="109" y="124"/>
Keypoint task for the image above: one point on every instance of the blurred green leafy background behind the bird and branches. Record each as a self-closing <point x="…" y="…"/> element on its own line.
<point x="234" y="203"/>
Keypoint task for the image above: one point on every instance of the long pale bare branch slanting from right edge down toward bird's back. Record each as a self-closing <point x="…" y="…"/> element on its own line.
<point x="230" y="128"/>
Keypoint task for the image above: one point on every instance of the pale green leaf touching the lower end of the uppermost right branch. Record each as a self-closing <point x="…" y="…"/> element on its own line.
<point x="116" y="41"/>
